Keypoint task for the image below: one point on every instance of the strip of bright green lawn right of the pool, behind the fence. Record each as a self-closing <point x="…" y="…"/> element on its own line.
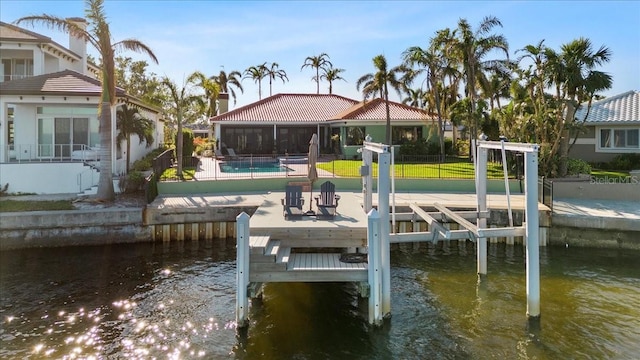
<point x="454" y="170"/>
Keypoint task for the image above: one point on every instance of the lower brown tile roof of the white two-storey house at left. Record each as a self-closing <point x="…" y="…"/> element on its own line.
<point x="67" y="82"/>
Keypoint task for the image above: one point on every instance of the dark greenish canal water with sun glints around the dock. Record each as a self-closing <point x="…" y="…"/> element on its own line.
<point x="176" y="301"/>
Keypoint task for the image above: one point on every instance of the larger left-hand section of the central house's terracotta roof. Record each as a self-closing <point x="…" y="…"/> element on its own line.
<point x="289" y="108"/>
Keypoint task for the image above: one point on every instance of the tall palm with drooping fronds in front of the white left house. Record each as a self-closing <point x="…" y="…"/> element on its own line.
<point x="99" y="36"/>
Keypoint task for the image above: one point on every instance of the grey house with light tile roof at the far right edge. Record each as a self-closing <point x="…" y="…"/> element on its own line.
<point x="612" y="128"/>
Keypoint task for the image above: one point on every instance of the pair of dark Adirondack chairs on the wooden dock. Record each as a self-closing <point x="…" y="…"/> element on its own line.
<point x="326" y="202"/>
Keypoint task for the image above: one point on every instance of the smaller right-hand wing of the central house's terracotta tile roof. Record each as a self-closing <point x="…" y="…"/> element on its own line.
<point x="376" y="110"/>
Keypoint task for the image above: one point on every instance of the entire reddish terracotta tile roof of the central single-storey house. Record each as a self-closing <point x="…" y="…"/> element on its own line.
<point x="316" y="108"/>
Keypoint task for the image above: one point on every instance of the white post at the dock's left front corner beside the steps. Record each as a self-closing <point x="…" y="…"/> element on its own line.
<point x="242" y="269"/>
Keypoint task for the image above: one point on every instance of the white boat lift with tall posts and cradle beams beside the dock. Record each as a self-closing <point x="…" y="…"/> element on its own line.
<point x="380" y="236"/>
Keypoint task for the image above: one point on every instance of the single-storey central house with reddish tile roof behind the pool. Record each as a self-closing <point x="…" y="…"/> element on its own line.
<point x="284" y="123"/>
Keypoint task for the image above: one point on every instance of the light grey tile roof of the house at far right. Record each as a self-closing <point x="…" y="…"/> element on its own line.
<point x="619" y="109"/>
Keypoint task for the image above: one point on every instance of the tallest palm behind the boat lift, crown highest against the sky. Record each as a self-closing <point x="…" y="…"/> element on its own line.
<point x="472" y="46"/>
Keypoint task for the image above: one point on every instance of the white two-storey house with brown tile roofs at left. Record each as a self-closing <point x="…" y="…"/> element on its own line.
<point x="49" y="101"/>
